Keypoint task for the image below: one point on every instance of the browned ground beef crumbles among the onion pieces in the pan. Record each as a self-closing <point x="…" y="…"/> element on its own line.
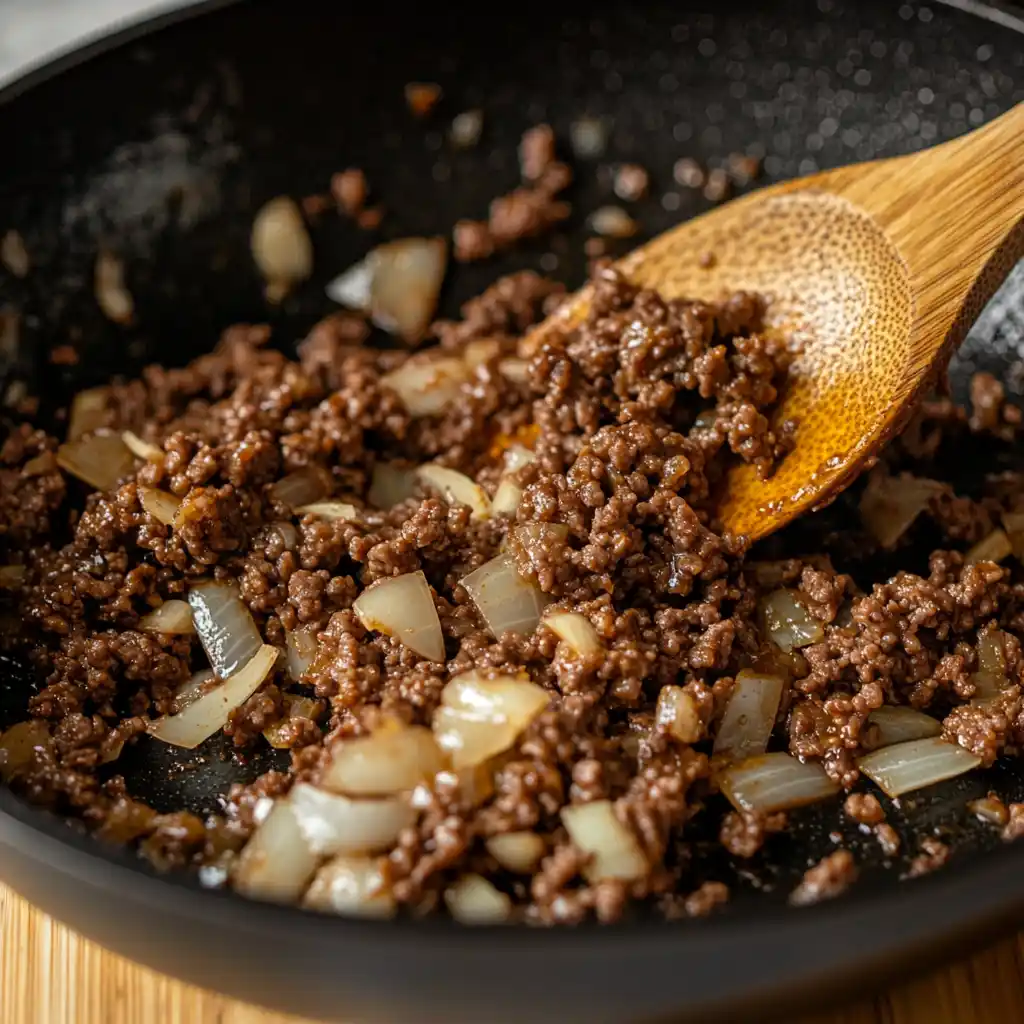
<point x="630" y="420"/>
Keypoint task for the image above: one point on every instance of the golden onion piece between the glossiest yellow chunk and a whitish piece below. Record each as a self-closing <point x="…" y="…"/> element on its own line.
<point x="393" y="759"/>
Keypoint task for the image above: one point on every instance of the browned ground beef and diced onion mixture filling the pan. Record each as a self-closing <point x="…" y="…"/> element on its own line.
<point x="477" y="599"/>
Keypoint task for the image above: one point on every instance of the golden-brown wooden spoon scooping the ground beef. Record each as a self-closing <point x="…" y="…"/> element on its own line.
<point x="877" y="270"/>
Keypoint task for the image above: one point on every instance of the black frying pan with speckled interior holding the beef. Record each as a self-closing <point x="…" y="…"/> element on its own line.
<point x="163" y="145"/>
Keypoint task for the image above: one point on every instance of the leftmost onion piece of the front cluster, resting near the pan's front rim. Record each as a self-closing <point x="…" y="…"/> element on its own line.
<point x="277" y="864"/>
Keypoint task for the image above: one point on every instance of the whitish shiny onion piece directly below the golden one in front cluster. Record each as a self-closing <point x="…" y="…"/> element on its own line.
<point x="333" y="825"/>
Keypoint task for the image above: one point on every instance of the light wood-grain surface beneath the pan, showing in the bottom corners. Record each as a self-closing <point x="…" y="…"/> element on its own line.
<point x="51" y="975"/>
